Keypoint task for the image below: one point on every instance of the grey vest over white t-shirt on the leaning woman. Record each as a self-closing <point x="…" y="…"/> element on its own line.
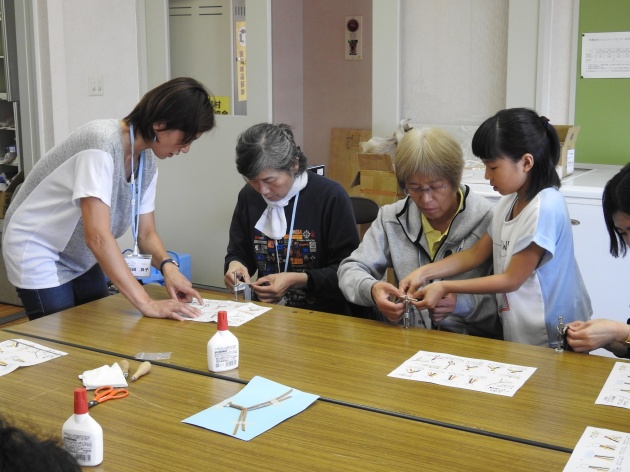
<point x="43" y="243"/>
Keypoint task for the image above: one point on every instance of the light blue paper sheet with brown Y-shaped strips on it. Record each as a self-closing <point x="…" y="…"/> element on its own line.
<point x="223" y="418"/>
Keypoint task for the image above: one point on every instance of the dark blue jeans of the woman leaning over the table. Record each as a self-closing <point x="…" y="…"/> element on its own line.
<point x="87" y="287"/>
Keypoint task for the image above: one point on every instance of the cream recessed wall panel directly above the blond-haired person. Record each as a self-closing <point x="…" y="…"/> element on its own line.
<point x="454" y="60"/>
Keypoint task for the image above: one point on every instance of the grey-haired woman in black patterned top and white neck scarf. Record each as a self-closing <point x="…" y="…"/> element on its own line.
<point x="290" y="226"/>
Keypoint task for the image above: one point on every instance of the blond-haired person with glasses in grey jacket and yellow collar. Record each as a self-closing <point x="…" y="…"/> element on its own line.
<point x="440" y="216"/>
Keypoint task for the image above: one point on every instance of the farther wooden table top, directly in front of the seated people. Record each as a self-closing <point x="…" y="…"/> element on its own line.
<point x="346" y="361"/>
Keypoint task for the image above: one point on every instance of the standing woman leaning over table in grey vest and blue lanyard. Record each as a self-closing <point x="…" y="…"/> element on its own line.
<point x="59" y="238"/>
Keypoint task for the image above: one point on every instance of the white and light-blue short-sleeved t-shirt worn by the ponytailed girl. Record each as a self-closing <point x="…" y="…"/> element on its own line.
<point x="530" y="314"/>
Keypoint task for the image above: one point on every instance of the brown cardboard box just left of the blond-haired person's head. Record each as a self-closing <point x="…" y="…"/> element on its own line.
<point x="376" y="179"/>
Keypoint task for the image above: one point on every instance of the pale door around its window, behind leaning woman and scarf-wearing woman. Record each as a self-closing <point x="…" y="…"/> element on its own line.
<point x="197" y="192"/>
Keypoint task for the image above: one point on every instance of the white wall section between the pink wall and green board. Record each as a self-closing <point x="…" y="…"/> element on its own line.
<point x="453" y="64"/>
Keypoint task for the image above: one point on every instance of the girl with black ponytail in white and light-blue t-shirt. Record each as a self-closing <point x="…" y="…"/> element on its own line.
<point x="536" y="277"/>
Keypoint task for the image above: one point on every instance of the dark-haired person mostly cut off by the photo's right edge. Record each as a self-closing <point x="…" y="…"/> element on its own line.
<point x="611" y="335"/>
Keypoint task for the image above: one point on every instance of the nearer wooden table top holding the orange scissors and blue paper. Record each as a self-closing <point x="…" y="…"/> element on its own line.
<point x="144" y="430"/>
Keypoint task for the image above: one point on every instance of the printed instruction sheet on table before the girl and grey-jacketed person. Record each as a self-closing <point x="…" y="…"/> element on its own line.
<point x="463" y="372"/>
